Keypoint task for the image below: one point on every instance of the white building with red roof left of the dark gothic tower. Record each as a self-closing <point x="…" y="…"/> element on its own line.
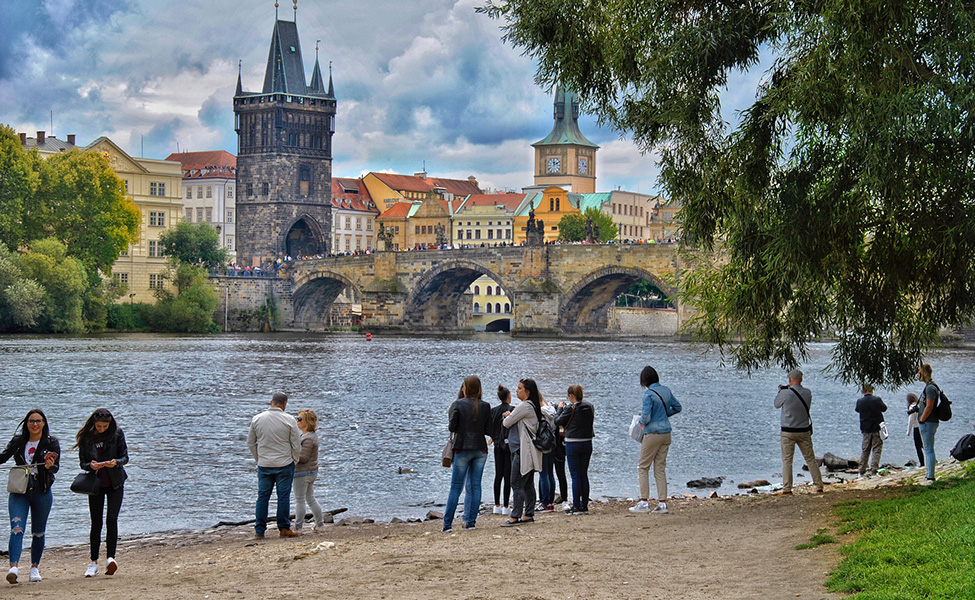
<point x="210" y="193"/>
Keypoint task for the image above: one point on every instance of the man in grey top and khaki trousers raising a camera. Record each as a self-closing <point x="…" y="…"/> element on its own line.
<point x="796" y="424"/>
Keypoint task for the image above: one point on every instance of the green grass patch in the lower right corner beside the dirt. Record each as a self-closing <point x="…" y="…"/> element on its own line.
<point x="919" y="544"/>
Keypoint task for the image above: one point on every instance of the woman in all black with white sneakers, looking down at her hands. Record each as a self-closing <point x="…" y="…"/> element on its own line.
<point x="102" y="449"/>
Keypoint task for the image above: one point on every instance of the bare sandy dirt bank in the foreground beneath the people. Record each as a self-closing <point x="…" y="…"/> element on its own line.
<point x="729" y="548"/>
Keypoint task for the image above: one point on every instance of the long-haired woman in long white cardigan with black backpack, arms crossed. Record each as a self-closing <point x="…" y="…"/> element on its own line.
<point x="522" y="422"/>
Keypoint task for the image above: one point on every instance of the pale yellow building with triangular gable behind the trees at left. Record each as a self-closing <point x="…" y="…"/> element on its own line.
<point x="156" y="188"/>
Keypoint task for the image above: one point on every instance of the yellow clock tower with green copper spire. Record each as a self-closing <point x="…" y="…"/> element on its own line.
<point x="565" y="157"/>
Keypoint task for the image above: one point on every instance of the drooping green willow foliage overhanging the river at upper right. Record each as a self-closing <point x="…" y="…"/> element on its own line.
<point x="841" y="204"/>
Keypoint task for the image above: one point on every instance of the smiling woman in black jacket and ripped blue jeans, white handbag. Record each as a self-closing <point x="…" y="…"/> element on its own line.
<point x="34" y="446"/>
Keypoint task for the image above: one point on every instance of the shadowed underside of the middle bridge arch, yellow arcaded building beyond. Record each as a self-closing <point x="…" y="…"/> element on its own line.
<point x="435" y="302"/>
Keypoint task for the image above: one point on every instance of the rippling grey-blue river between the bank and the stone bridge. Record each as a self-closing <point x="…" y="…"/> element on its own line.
<point x="185" y="403"/>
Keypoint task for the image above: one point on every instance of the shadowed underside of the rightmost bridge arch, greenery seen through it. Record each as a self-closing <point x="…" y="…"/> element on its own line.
<point x="585" y="306"/>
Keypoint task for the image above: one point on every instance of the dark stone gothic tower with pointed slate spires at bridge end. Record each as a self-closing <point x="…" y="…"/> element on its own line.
<point x="284" y="156"/>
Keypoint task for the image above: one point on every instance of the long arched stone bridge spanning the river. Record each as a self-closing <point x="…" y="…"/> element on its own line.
<point x="559" y="289"/>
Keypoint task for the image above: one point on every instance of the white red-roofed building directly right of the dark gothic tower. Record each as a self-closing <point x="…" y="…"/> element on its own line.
<point x="353" y="216"/>
